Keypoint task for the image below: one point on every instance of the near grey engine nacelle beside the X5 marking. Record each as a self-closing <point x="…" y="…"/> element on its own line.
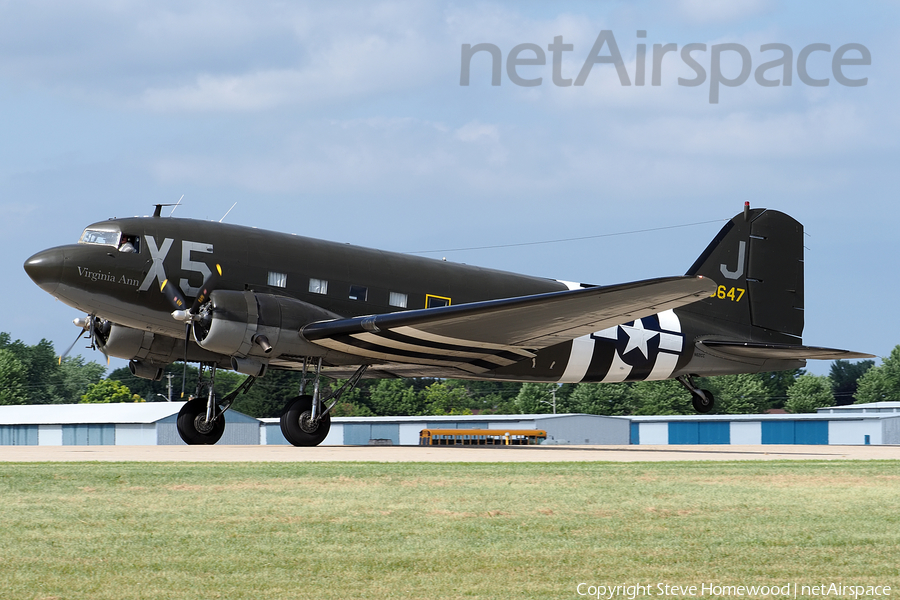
<point x="242" y="324"/>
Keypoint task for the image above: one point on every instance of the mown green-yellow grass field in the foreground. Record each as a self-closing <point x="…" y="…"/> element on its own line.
<point x="370" y="530"/>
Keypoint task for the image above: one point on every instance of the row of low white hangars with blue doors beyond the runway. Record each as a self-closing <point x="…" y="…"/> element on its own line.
<point x="154" y="423"/>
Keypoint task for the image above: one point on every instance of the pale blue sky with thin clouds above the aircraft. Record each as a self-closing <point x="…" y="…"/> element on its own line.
<point x="349" y="121"/>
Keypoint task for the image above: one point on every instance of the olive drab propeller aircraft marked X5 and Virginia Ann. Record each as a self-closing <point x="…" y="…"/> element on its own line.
<point x="160" y="289"/>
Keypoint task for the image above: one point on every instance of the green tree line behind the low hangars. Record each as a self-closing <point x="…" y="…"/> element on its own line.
<point x="35" y="375"/>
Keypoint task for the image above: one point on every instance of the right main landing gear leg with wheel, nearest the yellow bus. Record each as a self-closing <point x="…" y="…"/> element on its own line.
<point x="306" y="420"/>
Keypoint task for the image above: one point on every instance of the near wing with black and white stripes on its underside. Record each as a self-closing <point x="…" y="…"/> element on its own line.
<point x="481" y="336"/>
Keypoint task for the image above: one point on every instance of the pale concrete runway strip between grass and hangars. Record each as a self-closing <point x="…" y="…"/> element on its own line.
<point x="534" y="454"/>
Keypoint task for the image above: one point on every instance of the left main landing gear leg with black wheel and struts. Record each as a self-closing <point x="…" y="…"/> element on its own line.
<point x="202" y="420"/>
